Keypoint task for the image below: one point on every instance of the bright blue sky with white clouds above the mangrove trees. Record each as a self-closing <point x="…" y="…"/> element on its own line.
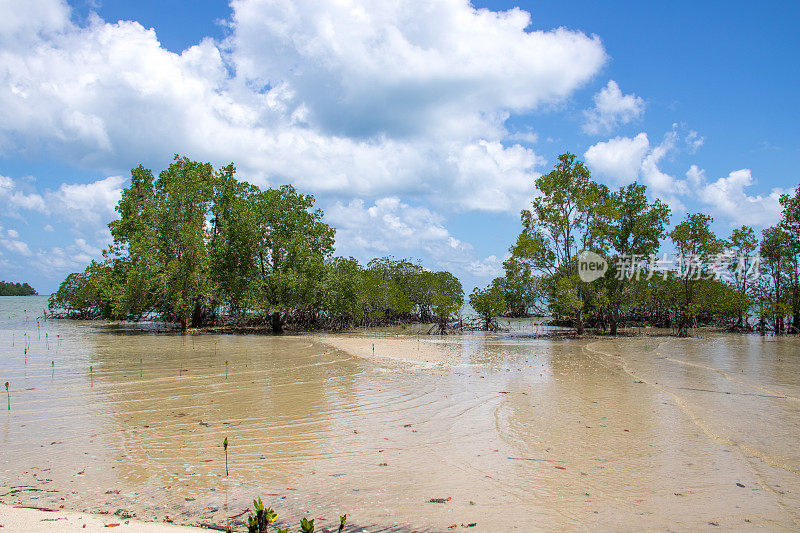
<point x="419" y="126"/>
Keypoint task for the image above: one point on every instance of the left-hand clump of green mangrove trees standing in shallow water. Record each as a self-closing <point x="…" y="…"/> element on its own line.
<point x="198" y="247"/>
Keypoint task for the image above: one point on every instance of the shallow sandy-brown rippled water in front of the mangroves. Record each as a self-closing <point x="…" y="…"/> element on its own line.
<point x="511" y="431"/>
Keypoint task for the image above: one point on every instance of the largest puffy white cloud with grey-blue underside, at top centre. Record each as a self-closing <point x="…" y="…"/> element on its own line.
<point x="407" y="67"/>
